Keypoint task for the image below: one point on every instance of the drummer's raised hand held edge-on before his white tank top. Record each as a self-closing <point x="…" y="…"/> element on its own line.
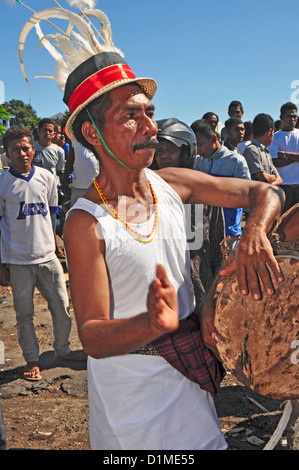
<point x="162" y="303"/>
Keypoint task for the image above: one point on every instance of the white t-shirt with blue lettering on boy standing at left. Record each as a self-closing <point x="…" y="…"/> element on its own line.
<point x="26" y="204"/>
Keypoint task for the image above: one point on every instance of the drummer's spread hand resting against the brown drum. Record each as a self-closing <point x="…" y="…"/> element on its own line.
<point x="253" y="261"/>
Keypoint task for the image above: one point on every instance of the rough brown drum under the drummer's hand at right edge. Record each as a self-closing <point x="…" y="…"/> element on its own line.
<point x="258" y="341"/>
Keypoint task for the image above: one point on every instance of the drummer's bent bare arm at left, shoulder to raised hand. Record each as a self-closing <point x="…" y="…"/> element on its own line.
<point x="101" y="336"/>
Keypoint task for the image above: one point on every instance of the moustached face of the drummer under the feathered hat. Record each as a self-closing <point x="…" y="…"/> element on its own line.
<point x="130" y="129"/>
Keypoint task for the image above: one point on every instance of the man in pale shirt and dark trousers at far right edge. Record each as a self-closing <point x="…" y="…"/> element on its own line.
<point x="284" y="151"/>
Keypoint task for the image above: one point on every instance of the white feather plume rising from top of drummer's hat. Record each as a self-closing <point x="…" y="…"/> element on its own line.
<point x="76" y="47"/>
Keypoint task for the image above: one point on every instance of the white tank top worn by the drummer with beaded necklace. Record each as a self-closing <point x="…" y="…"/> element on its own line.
<point x="132" y="264"/>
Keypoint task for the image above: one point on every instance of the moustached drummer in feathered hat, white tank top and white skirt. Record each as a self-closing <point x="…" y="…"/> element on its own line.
<point x="130" y="279"/>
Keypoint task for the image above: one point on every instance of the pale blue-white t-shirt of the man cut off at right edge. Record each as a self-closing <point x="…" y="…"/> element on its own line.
<point x="286" y="142"/>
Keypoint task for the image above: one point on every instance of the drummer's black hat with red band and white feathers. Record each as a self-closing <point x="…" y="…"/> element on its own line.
<point x="87" y="62"/>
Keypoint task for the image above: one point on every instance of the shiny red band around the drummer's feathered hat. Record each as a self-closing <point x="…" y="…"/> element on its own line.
<point x="97" y="81"/>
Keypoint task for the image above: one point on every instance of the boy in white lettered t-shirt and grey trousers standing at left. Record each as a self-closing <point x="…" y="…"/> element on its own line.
<point x="28" y="196"/>
